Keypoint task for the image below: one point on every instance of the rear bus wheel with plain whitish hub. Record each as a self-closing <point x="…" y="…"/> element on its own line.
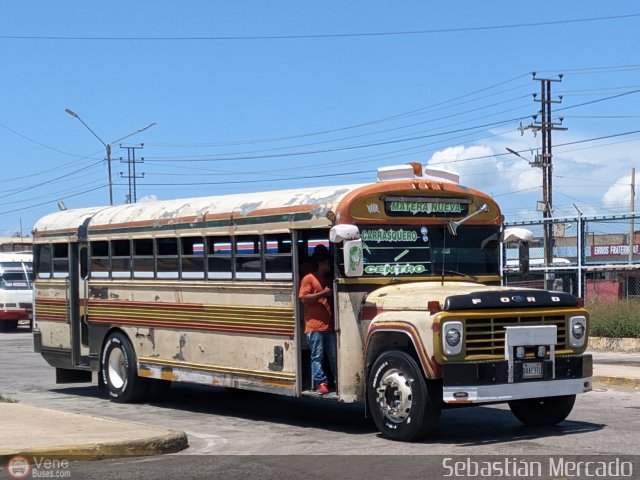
<point x="119" y="373"/>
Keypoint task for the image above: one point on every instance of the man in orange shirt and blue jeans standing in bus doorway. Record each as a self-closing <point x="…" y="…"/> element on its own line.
<point x="316" y="296"/>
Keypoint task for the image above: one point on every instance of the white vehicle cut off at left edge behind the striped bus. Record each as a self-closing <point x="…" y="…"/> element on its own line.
<point x="16" y="289"/>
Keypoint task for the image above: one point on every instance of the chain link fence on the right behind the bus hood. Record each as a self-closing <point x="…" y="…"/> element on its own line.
<point x="590" y="257"/>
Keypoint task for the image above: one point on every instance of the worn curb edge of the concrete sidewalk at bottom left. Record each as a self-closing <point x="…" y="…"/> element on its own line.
<point x="172" y="442"/>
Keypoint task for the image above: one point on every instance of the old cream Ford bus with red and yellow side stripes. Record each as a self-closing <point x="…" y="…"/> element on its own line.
<point x="205" y="290"/>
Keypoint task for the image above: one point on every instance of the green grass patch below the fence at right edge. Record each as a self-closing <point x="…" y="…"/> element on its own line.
<point x="615" y="318"/>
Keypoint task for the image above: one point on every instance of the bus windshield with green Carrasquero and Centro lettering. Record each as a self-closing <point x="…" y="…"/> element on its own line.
<point x="409" y="250"/>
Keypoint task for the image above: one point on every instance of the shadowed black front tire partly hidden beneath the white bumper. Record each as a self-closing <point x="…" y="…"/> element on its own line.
<point x="538" y="412"/>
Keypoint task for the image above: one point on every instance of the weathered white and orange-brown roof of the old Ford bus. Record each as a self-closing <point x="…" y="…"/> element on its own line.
<point x="259" y="212"/>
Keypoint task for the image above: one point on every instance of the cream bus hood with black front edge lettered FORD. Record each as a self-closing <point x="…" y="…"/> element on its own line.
<point x="463" y="296"/>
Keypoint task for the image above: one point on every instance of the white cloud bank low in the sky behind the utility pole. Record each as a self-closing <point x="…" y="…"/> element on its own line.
<point x="592" y="176"/>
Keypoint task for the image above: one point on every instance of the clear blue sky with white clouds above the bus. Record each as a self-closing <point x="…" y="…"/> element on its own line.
<point x="253" y="96"/>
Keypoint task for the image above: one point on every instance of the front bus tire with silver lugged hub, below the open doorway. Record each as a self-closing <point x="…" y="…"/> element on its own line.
<point x="403" y="405"/>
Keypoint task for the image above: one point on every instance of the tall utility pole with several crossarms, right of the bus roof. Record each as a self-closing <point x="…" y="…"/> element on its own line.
<point x="545" y="161"/>
